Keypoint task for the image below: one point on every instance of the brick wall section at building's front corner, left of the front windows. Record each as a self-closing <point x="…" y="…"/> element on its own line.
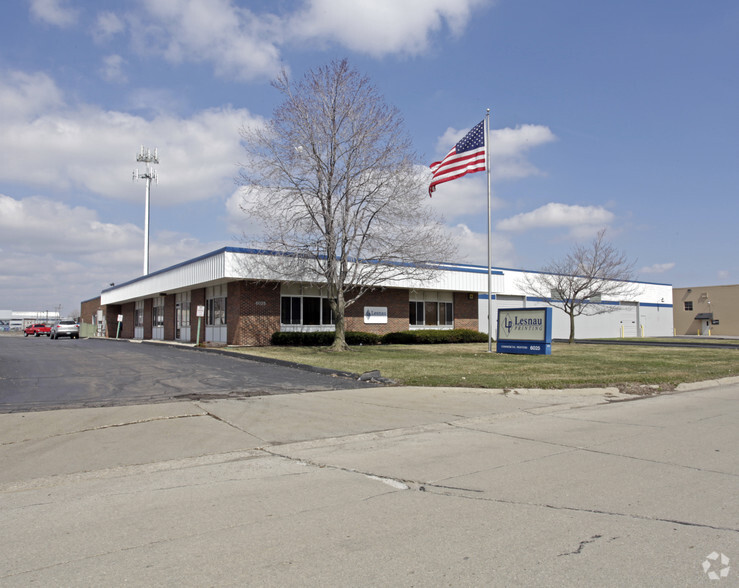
<point x="253" y="312"/>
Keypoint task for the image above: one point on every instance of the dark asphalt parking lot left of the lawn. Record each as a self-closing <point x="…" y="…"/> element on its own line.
<point x="40" y="374"/>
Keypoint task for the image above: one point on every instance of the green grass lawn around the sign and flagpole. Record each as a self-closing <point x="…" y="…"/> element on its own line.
<point x="569" y="366"/>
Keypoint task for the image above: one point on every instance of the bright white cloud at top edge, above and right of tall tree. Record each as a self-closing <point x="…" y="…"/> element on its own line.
<point x="381" y="27"/>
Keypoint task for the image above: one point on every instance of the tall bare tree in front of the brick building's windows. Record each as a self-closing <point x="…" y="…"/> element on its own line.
<point x="336" y="188"/>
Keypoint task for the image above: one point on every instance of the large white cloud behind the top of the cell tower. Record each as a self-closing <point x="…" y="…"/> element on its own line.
<point x="85" y="147"/>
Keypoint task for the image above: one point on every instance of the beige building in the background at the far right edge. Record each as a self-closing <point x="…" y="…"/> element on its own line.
<point x="706" y="310"/>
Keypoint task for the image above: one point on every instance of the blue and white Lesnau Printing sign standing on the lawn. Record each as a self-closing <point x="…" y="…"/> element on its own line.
<point x="525" y="330"/>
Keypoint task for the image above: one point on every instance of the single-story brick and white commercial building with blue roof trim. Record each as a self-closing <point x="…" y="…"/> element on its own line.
<point x="245" y="307"/>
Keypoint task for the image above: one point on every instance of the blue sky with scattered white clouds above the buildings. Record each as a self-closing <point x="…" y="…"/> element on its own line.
<point x="604" y="114"/>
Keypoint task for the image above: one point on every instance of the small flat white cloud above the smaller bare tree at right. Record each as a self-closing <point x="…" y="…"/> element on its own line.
<point x="581" y="220"/>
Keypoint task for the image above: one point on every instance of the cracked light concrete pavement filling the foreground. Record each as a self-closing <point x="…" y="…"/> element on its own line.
<point x="380" y="486"/>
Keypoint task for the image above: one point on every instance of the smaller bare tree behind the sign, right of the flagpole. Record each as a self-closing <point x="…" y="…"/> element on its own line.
<point x="584" y="280"/>
